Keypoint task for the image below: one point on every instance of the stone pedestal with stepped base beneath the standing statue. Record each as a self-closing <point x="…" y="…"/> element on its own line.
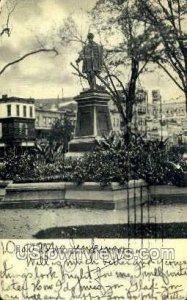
<point x="93" y="120"/>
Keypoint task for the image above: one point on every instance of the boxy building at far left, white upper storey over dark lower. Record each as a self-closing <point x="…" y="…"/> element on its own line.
<point x="17" y="121"/>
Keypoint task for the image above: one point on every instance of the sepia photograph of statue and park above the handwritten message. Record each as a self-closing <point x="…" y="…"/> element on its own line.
<point x="93" y="119"/>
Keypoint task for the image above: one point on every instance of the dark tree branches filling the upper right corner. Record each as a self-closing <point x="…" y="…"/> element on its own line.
<point x="168" y="20"/>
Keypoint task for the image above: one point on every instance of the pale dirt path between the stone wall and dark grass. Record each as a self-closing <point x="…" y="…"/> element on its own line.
<point x="24" y="223"/>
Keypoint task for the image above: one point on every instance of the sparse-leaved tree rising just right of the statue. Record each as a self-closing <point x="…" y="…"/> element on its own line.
<point x="129" y="46"/>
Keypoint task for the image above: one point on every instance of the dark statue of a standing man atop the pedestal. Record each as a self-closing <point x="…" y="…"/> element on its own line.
<point x="92" y="57"/>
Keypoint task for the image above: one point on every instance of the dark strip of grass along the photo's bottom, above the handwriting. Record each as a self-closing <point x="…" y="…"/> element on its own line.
<point x="151" y="230"/>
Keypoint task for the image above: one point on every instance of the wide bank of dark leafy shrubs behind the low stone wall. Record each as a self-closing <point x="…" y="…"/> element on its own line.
<point x="113" y="160"/>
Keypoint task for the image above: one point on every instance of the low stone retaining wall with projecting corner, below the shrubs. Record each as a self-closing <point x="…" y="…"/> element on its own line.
<point x="88" y="194"/>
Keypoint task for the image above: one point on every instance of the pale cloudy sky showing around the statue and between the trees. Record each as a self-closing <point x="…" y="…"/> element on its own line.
<point x="43" y="75"/>
